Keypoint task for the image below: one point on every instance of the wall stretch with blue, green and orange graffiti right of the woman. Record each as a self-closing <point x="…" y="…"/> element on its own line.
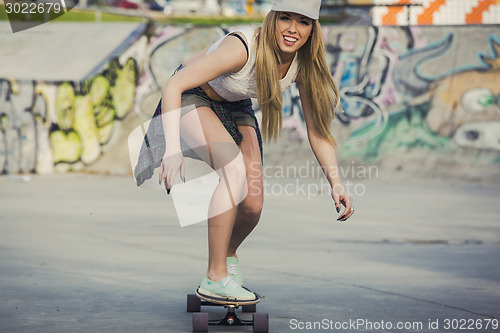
<point x="408" y="88"/>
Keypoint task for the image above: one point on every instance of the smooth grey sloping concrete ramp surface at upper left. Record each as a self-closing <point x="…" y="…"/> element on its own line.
<point x="63" y="51"/>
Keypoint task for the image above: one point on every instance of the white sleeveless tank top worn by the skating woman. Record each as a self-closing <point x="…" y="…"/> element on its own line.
<point x="242" y="85"/>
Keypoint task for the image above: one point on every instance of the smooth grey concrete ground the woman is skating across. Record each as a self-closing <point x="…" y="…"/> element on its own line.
<point x="94" y="253"/>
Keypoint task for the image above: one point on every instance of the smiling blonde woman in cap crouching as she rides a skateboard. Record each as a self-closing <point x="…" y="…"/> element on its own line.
<point x="222" y="129"/>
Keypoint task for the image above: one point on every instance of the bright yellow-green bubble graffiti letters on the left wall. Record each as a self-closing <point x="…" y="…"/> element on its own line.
<point x="86" y="117"/>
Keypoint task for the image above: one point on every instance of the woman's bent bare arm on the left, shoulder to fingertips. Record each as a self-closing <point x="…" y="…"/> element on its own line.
<point x="230" y="56"/>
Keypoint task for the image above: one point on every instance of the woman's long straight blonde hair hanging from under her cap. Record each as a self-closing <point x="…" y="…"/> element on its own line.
<point x="320" y="90"/>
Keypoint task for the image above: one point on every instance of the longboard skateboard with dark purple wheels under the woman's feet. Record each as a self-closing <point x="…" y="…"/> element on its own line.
<point x="201" y="321"/>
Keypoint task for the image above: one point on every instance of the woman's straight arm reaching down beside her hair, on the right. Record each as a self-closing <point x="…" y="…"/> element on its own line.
<point x="327" y="158"/>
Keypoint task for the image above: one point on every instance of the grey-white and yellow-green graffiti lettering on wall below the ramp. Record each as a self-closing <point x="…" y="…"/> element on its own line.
<point x="63" y="126"/>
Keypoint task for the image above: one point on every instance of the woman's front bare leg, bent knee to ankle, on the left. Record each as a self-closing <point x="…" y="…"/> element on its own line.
<point x="216" y="147"/>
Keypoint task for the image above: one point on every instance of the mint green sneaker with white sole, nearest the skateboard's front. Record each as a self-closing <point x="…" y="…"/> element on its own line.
<point x="226" y="289"/>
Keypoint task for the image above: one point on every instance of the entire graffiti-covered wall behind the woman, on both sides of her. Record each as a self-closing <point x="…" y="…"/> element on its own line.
<point x="434" y="90"/>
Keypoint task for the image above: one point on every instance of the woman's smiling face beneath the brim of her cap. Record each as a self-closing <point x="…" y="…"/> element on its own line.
<point x="292" y="31"/>
